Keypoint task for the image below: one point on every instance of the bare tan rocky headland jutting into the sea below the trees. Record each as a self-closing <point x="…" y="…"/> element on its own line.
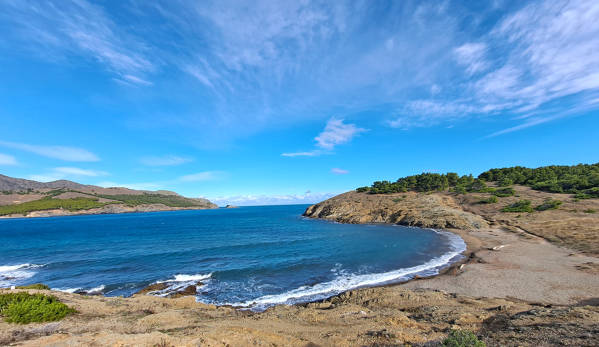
<point x="422" y="210"/>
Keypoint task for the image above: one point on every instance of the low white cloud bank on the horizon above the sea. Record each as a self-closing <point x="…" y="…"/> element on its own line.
<point x="285" y="199"/>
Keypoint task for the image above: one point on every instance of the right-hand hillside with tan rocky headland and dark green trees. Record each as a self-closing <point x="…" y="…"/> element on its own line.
<point x="557" y="203"/>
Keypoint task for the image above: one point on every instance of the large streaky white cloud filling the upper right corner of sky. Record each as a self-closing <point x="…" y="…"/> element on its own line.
<point x="541" y="56"/>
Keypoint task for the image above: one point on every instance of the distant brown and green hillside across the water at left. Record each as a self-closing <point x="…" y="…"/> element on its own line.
<point x="27" y="198"/>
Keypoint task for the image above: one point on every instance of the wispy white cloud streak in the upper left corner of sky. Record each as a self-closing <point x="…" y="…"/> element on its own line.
<point x="78" y="27"/>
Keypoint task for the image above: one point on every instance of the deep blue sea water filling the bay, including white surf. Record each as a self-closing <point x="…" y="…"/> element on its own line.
<point x="250" y="256"/>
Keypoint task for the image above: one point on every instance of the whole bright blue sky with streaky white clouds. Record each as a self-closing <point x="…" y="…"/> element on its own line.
<point x="276" y="102"/>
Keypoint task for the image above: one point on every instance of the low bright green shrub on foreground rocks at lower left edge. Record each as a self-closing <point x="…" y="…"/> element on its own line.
<point x="25" y="308"/>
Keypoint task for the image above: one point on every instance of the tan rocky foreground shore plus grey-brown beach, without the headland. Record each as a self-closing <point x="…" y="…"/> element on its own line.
<point x="465" y="295"/>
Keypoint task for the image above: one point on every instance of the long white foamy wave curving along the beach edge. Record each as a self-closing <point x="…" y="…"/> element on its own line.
<point x="345" y="282"/>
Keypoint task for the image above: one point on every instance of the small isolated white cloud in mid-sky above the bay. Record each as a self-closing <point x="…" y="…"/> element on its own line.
<point x="336" y="132"/>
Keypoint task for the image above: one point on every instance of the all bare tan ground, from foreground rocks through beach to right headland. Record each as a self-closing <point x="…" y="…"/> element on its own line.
<point x="527" y="280"/>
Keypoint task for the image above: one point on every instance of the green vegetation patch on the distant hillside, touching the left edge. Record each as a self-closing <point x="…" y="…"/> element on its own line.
<point x="48" y="203"/>
